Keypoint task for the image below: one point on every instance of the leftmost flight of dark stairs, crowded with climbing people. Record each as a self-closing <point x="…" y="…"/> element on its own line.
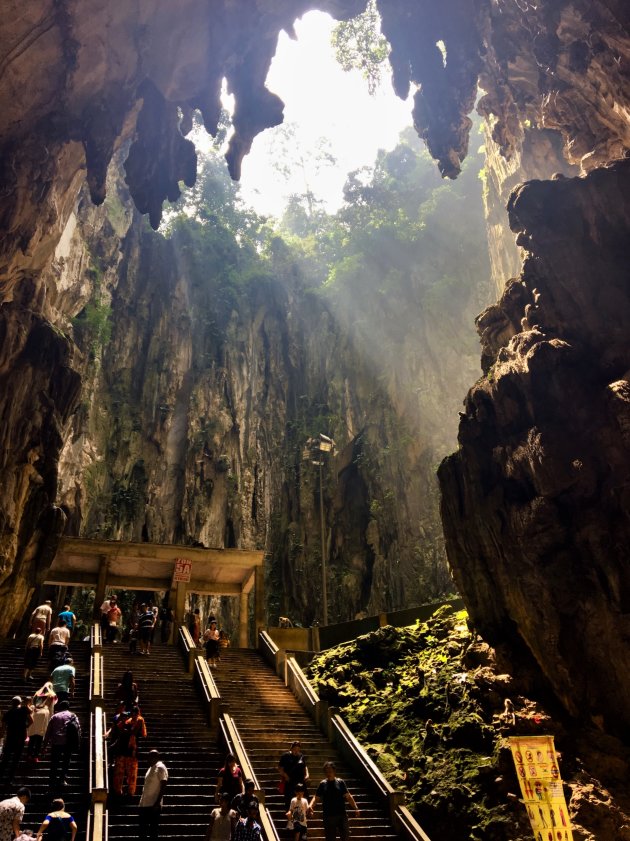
<point x="36" y="776"/>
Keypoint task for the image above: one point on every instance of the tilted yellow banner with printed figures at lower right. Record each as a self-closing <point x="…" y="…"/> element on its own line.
<point x="538" y="774"/>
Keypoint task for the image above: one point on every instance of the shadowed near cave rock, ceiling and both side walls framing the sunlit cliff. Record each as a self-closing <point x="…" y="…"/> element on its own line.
<point x="77" y="82"/>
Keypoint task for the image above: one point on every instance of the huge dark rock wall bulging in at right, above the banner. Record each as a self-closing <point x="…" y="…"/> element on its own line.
<point x="535" y="504"/>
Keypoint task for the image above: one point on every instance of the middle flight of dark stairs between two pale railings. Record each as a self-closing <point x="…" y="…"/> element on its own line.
<point x="177" y="727"/>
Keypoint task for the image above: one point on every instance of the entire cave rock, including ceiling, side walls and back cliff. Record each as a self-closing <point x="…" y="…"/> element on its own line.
<point x="97" y="103"/>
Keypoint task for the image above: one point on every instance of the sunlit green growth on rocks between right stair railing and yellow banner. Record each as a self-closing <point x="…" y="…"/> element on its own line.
<point x="410" y="697"/>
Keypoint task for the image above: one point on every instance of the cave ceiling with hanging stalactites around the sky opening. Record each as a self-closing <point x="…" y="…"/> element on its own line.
<point x="78" y="80"/>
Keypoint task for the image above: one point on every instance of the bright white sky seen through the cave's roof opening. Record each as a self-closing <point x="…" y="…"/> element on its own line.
<point x="323" y="101"/>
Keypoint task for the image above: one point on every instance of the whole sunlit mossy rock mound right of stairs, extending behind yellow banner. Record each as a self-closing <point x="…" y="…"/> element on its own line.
<point x="428" y="703"/>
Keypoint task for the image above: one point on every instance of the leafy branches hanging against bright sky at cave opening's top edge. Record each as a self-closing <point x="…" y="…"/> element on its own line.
<point x="359" y="45"/>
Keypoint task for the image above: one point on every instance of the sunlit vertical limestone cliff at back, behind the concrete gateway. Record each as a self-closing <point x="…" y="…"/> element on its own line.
<point x="195" y="411"/>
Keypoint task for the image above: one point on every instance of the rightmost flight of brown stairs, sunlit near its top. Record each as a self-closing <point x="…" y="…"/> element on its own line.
<point x="269" y="718"/>
